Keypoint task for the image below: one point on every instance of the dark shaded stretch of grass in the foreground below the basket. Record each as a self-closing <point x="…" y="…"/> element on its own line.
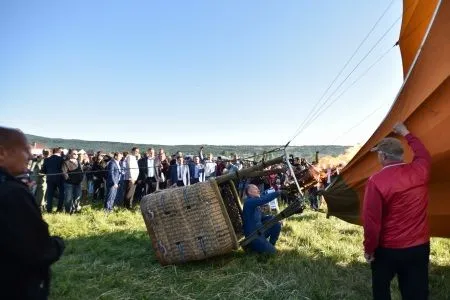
<point x="122" y="265"/>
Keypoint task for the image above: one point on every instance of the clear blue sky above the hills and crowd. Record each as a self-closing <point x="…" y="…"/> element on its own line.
<point x="191" y="72"/>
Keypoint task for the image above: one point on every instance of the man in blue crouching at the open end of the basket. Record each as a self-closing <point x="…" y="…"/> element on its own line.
<point x="253" y="219"/>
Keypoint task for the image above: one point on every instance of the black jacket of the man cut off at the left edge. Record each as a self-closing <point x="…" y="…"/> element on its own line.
<point x="26" y="248"/>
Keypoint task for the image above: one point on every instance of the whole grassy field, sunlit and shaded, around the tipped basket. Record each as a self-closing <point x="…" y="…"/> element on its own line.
<point x="111" y="258"/>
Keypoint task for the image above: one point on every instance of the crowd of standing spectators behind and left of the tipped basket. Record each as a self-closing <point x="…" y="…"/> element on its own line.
<point x="116" y="179"/>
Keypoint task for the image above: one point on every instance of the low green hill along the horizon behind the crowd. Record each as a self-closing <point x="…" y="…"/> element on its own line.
<point x="217" y="150"/>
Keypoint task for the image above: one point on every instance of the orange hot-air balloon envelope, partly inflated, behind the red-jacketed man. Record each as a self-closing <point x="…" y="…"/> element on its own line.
<point x="423" y="104"/>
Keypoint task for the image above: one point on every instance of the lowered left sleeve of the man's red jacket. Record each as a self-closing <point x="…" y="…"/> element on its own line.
<point x="372" y="214"/>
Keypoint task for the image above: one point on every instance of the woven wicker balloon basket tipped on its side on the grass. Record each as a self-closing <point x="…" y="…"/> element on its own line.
<point x="188" y="223"/>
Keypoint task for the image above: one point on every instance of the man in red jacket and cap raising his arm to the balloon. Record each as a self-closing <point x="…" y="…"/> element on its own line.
<point x="396" y="236"/>
